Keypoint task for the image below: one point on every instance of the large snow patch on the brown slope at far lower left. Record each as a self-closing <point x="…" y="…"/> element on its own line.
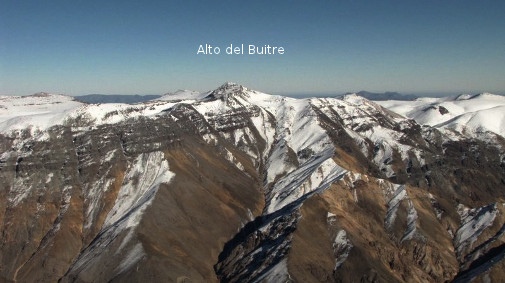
<point x="144" y="176"/>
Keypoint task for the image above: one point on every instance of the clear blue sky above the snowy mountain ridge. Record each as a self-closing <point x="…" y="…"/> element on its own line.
<point x="149" y="47"/>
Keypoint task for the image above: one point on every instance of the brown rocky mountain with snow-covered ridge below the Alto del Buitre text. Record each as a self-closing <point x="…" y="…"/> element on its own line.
<point x="235" y="185"/>
